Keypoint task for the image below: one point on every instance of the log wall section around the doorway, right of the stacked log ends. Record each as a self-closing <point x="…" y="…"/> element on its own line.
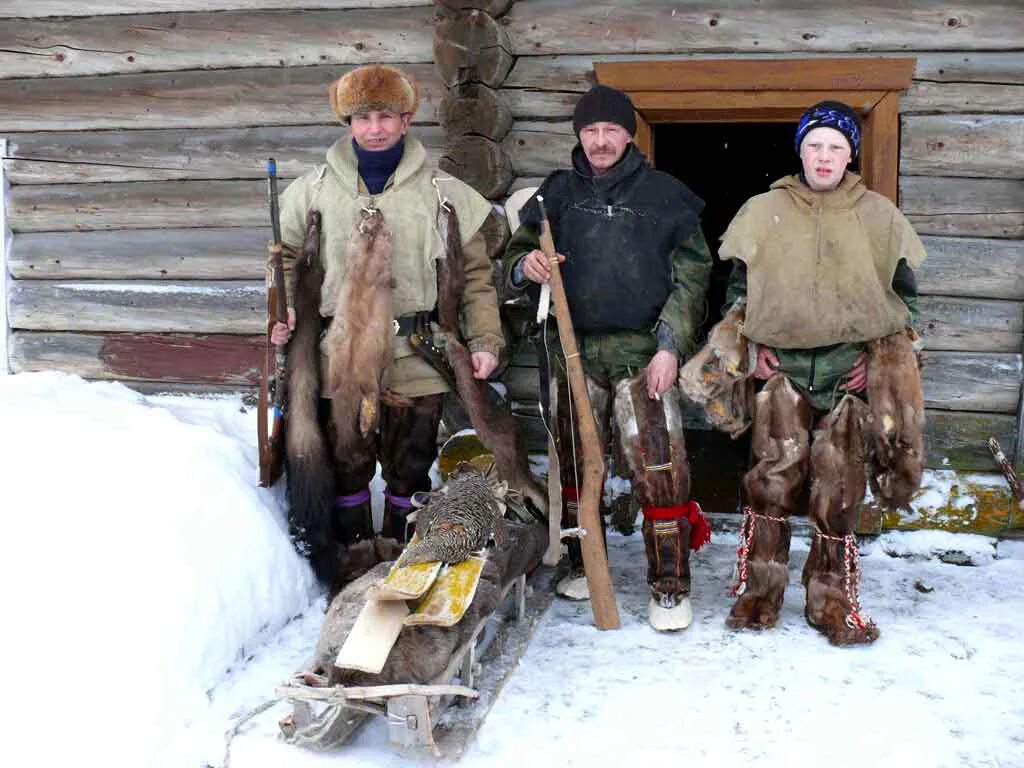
<point x="962" y="159"/>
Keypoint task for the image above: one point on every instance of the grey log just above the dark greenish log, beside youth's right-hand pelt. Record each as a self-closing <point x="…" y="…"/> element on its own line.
<point x="969" y="381"/>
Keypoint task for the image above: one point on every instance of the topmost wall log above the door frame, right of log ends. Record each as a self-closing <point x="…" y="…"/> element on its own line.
<point x="547" y="27"/>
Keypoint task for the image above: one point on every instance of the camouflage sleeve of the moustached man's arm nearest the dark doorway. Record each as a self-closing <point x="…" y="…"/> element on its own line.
<point x="685" y="311"/>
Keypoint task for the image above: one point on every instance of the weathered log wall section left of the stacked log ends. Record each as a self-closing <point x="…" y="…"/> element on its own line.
<point x="137" y="151"/>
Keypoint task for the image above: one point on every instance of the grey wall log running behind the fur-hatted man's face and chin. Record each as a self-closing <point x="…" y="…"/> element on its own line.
<point x="71" y="157"/>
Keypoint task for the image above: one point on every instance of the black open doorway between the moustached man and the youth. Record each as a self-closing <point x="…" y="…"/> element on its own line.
<point x="726" y="164"/>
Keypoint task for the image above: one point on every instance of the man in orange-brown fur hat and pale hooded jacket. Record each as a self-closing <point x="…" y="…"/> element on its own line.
<point x="378" y="165"/>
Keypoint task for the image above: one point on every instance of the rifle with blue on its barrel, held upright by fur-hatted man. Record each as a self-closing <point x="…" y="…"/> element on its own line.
<point x="271" y="415"/>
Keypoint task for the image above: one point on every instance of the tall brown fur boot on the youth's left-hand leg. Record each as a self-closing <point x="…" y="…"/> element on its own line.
<point x="781" y="445"/>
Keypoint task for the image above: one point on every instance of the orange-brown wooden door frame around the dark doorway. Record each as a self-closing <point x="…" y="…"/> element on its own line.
<point x="737" y="91"/>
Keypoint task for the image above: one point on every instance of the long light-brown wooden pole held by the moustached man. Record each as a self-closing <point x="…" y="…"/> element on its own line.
<point x="595" y="562"/>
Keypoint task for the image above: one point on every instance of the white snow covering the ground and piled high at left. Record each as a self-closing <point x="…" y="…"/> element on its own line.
<point x="152" y="598"/>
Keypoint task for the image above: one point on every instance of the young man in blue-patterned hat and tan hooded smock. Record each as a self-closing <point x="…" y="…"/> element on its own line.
<point x="825" y="268"/>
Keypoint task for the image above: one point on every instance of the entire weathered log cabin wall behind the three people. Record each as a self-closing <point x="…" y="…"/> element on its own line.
<point x="137" y="145"/>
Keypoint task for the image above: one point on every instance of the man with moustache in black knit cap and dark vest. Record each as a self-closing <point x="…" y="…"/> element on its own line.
<point x="636" y="271"/>
